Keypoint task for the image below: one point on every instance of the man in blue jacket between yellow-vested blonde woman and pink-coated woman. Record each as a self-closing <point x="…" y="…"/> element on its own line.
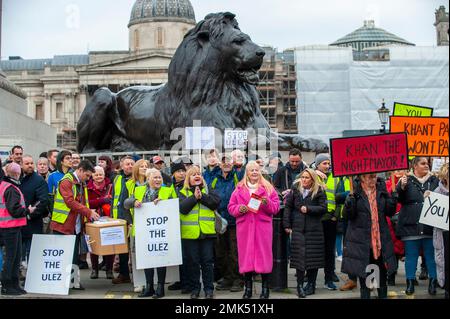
<point x="226" y="246"/>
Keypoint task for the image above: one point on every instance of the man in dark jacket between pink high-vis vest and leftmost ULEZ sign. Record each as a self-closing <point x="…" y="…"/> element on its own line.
<point x="34" y="189"/>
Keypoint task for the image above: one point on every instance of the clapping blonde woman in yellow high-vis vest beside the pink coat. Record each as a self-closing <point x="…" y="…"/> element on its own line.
<point x="198" y="233"/>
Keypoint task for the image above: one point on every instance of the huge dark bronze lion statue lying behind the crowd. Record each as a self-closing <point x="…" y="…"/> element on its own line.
<point x="211" y="78"/>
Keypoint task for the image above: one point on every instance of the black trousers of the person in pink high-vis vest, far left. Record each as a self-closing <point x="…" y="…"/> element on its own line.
<point x="12" y="239"/>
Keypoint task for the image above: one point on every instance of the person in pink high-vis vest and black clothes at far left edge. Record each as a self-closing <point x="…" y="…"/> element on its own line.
<point x="13" y="216"/>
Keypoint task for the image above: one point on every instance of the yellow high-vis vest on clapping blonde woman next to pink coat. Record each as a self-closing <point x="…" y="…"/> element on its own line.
<point x="200" y="220"/>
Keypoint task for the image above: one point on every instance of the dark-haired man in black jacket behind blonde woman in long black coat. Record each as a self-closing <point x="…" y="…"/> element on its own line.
<point x="286" y="175"/>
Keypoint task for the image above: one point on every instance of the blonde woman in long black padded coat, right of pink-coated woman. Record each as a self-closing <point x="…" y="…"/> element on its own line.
<point x="305" y="206"/>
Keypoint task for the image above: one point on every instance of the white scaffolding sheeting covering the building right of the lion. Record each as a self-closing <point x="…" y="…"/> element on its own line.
<point x="336" y="93"/>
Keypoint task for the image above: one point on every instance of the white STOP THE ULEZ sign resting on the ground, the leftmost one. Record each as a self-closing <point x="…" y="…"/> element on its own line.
<point x="50" y="264"/>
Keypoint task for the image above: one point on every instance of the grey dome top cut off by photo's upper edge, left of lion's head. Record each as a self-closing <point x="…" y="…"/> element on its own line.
<point x="162" y="10"/>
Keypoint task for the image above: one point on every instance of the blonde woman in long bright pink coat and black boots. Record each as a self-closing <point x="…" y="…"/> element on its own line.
<point x="254" y="227"/>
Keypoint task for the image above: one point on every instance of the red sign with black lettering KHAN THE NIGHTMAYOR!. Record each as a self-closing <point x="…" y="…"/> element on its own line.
<point x="368" y="154"/>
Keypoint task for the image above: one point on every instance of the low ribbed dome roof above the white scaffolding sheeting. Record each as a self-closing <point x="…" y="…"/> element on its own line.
<point x="369" y="36"/>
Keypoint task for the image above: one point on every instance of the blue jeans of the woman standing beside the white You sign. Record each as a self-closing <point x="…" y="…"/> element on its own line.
<point x="412" y="251"/>
